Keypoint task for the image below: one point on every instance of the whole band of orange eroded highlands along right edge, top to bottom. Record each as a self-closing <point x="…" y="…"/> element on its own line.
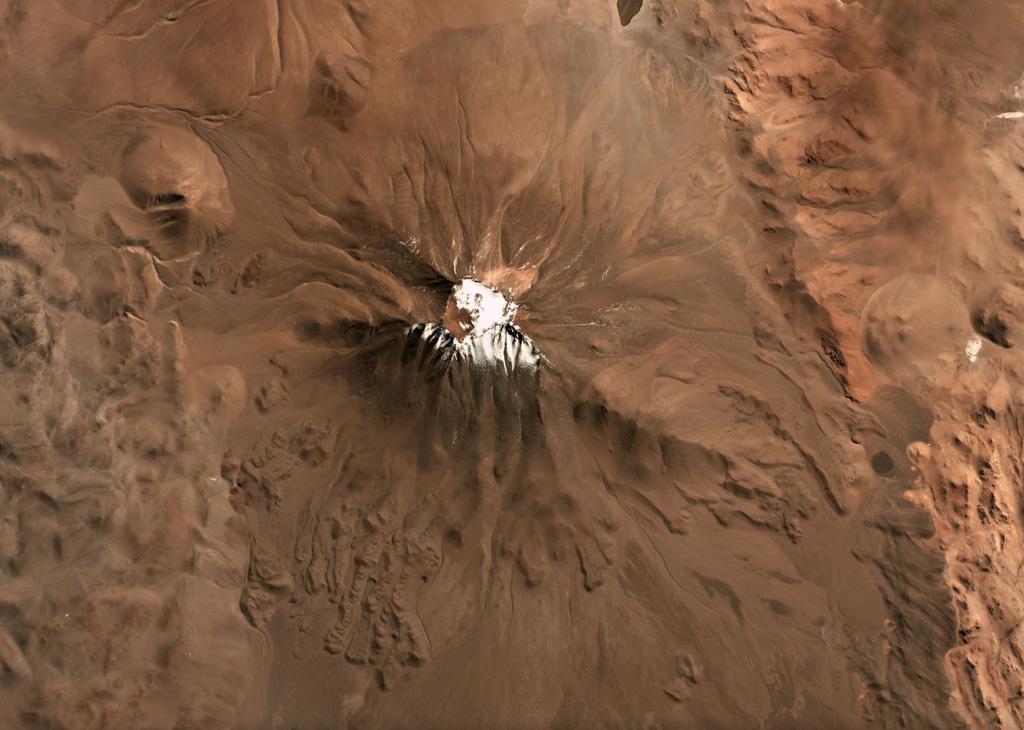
<point x="877" y="144"/>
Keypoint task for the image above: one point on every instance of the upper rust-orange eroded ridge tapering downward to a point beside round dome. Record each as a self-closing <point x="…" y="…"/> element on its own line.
<point x="858" y="170"/>
